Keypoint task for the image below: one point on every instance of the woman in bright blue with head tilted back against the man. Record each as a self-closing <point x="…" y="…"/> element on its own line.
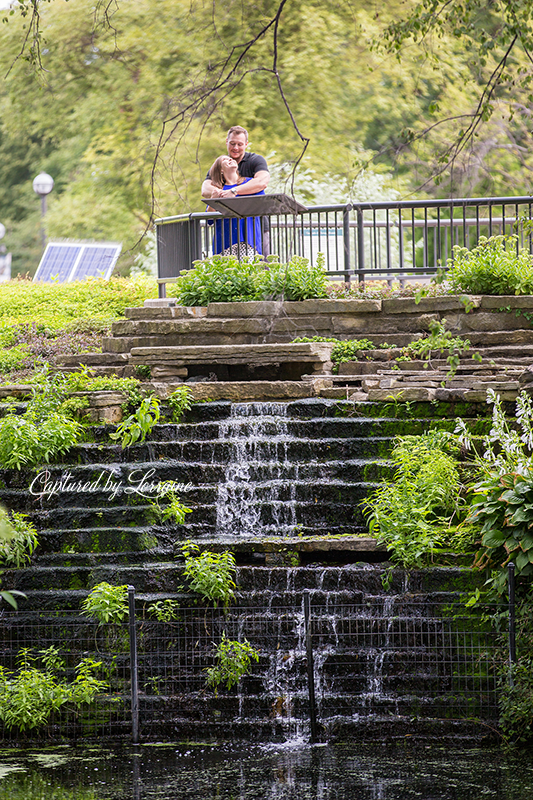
<point x="234" y="236"/>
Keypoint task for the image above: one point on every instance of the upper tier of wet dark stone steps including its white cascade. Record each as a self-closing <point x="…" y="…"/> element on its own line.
<point x="276" y="483"/>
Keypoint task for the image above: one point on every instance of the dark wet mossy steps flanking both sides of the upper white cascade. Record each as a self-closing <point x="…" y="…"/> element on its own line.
<point x="96" y="519"/>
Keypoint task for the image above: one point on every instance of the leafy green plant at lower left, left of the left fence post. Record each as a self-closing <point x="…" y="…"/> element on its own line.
<point x="29" y="696"/>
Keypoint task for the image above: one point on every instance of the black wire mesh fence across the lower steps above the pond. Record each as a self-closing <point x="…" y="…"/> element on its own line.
<point x="389" y="658"/>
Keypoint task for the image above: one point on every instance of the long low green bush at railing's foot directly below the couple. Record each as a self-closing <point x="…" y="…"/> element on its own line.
<point x="226" y="279"/>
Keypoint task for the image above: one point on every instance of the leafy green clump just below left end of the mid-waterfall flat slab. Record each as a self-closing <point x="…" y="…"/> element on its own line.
<point x="210" y="574"/>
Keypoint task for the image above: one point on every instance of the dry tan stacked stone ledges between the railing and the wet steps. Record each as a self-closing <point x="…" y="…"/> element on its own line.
<point x="245" y="352"/>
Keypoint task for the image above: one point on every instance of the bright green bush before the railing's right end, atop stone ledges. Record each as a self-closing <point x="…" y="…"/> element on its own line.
<point x="496" y="266"/>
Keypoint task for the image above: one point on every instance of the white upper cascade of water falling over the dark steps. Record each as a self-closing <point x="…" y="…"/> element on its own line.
<point x="258" y="493"/>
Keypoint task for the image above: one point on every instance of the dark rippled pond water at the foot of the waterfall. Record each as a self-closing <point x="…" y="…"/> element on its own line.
<point x="230" y="772"/>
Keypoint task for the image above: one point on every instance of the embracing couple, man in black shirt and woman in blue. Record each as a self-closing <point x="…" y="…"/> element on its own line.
<point x="237" y="174"/>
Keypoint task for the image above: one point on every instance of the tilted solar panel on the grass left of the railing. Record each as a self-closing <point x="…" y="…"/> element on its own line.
<point x="63" y="262"/>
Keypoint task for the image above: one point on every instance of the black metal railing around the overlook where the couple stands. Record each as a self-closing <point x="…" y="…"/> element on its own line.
<point x="406" y="240"/>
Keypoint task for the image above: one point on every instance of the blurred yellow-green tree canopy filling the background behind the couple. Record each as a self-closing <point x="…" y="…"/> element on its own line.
<point x="127" y="104"/>
